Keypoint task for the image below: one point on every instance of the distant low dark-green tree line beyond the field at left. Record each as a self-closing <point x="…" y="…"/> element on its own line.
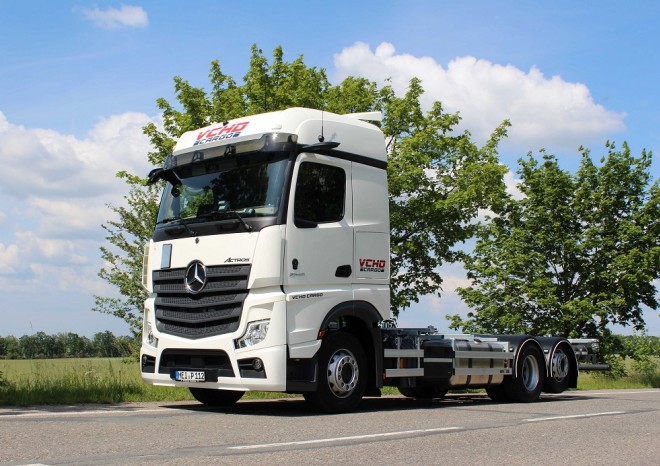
<point x="66" y="345"/>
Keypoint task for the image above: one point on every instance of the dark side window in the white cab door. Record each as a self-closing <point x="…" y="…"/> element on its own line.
<point x="320" y="194"/>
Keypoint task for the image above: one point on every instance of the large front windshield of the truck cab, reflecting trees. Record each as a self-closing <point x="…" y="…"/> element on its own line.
<point x="250" y="186"/>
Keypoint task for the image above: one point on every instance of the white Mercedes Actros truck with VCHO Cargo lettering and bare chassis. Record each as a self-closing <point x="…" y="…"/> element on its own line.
<point x="269" y="270"/>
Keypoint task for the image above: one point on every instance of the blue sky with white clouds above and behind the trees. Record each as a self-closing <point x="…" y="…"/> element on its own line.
<point x="79" y="79"/>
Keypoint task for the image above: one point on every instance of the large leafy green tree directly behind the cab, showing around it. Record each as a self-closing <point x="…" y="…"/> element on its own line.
<point x="438" y="179"/>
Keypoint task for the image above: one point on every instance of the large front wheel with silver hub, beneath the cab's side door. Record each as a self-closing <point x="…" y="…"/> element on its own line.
<point x="342" y="374"/>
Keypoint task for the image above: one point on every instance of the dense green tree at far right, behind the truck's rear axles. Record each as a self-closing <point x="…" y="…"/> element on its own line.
<point x="577" y="253"/>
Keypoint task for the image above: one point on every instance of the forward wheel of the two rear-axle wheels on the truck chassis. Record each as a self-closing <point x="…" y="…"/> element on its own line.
<point x="527" y="386"/>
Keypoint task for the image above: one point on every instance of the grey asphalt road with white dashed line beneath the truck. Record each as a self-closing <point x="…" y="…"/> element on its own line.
<point x="587" y="427"/>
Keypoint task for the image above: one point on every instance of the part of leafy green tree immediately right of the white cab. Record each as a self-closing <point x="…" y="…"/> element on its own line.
<point x="438" y="180"/>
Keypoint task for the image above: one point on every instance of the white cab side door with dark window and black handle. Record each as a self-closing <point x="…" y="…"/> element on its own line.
<point x="318" y="267"/>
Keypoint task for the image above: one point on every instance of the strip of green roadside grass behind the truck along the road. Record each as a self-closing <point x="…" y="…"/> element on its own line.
<point x="106" y="380"/>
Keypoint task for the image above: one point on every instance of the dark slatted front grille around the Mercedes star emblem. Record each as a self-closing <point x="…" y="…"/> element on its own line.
<point x="215" y="310"/>
